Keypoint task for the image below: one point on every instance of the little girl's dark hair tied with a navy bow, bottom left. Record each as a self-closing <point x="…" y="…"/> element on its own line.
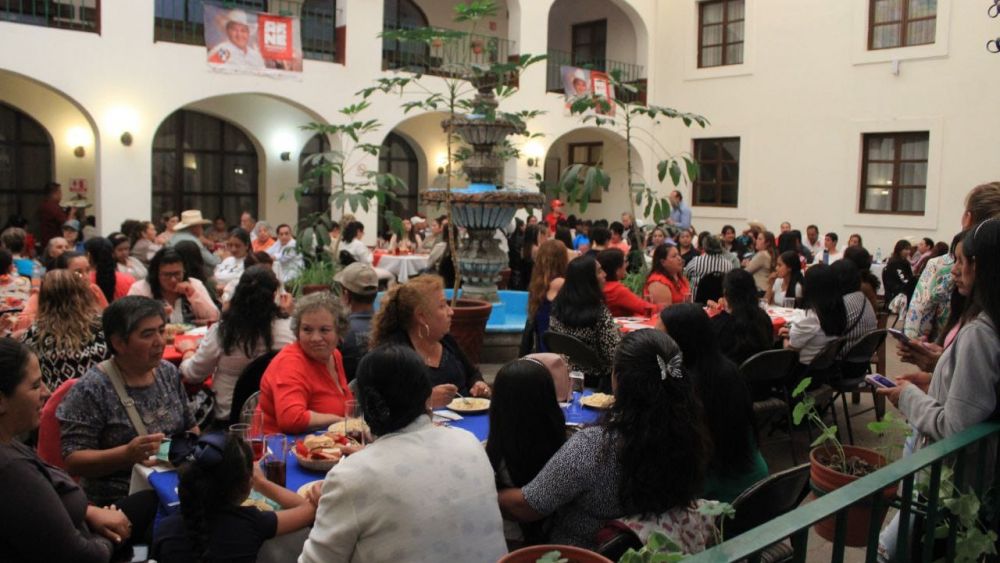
<point x="211" y="482"/>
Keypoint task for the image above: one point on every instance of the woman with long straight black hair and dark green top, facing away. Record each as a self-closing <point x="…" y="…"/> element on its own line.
<point x="736" y="463"/>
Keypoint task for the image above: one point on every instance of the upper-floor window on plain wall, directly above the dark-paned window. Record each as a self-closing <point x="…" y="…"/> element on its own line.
<point x="720" y="33"/>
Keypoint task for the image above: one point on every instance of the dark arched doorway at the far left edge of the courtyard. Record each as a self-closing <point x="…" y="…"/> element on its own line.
<point x="25" y="165"/>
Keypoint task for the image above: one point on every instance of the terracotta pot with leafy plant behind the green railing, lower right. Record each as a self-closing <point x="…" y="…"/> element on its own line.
<point x="859" y="516"/>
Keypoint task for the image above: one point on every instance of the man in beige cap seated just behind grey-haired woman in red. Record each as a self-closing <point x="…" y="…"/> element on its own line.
<point x="358" y="286"/>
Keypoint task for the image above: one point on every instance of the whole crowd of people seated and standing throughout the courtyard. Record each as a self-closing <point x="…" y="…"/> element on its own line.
<point x="86" y="321"/>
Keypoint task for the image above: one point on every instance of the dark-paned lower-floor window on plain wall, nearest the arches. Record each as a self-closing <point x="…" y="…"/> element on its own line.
<point x="718" y="182"/>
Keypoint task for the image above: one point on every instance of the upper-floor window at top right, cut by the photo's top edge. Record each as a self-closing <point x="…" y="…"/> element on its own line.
<point x="901" y="23"/>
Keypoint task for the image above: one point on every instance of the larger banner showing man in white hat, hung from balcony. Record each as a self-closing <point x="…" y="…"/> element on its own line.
<point x="245" y="42"/>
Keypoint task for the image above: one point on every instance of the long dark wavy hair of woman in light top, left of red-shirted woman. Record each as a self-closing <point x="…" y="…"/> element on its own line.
<point x="251" y="311"/>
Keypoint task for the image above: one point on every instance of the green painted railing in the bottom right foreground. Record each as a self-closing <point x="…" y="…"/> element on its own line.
<point x="796" y="524"/>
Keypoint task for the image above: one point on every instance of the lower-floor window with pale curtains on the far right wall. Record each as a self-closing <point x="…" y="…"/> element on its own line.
<point x="894" y="173"/>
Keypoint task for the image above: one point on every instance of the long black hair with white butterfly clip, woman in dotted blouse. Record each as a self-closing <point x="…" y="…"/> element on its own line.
<point x="655" y="426"/>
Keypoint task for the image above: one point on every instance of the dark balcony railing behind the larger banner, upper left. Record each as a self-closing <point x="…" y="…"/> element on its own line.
<point x="182" y="21"/>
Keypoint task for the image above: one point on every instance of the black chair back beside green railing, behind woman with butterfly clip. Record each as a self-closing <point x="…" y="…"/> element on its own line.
<point x="768" y="499"/>
